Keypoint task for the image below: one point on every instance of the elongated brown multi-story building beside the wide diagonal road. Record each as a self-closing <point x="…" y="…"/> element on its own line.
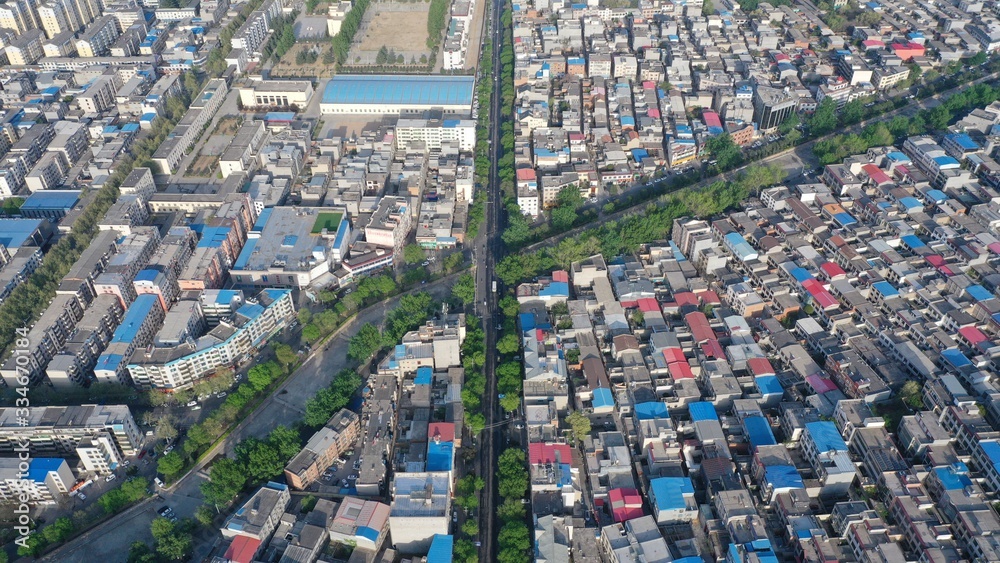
<point x="325" y="446"/>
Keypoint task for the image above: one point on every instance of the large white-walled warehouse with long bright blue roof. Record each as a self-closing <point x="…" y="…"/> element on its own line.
<point x="381" y="94"/>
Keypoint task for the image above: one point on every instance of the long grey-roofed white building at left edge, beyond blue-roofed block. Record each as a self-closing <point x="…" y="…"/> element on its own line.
<point x="60" y="430"/>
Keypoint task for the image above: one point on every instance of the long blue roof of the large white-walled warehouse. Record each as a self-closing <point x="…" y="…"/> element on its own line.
<point x="400" y="90"/>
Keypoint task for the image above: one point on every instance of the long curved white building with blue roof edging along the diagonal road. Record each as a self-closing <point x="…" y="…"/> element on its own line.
<point x="234" y="340"/>
